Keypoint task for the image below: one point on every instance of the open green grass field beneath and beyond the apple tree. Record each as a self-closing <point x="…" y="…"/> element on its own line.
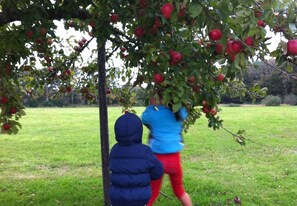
<point x="55" y="159"/>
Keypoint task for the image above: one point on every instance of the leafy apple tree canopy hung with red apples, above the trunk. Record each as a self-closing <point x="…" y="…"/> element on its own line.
<point x="191" y="51"/>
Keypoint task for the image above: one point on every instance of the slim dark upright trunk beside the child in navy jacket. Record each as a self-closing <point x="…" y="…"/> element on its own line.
<point x="103" y="121"/>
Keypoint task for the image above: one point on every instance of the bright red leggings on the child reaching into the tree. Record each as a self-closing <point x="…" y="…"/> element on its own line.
<point x="172" y="167"/>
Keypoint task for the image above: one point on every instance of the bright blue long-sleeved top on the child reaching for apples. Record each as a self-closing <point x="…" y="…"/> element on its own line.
<point x="166" y="131"/>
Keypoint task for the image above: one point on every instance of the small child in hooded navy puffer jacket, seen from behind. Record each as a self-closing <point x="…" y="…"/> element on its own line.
<point x="132" y="164"/>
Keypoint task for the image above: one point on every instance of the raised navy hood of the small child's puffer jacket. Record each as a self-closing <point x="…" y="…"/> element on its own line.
<point x="128" y="129"/>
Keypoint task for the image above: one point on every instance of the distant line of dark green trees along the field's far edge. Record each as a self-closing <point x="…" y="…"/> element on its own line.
<point x="259" y="73"/>
